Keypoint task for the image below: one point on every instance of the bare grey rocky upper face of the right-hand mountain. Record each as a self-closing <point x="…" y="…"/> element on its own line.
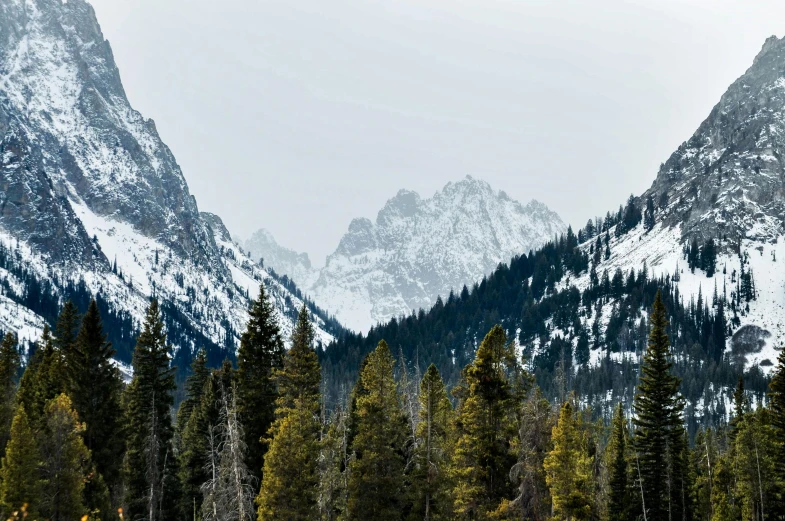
<point x="728" y="179"/>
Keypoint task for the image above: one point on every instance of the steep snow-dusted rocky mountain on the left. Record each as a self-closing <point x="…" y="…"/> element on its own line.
<point x="93" y="203"/>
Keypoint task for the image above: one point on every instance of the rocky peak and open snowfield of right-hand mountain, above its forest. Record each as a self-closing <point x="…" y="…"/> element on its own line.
<point x="724" y="186"/>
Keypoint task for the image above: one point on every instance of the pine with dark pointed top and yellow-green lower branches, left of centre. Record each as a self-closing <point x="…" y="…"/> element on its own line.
<point x="290" y="477"/>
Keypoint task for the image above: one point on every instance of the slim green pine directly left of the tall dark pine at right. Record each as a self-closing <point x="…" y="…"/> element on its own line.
<point x="621" y="495"/>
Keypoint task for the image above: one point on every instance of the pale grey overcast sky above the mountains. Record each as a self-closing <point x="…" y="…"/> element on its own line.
<point x="298" y="115"/>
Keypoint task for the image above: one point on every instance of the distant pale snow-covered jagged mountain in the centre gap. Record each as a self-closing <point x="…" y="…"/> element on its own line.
<point x="417" y="250"/>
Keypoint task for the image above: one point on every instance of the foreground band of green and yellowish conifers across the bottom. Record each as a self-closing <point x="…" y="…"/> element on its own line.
<point x="257" y="441"/>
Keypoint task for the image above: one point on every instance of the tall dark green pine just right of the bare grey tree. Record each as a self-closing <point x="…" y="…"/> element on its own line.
<point x="260" y="354"/>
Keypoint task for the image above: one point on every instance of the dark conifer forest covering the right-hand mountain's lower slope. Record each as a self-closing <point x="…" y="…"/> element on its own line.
<point x="588" y="339"/>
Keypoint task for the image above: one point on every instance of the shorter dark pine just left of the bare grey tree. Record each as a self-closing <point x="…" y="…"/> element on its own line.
<point x="192" y="427"/>
